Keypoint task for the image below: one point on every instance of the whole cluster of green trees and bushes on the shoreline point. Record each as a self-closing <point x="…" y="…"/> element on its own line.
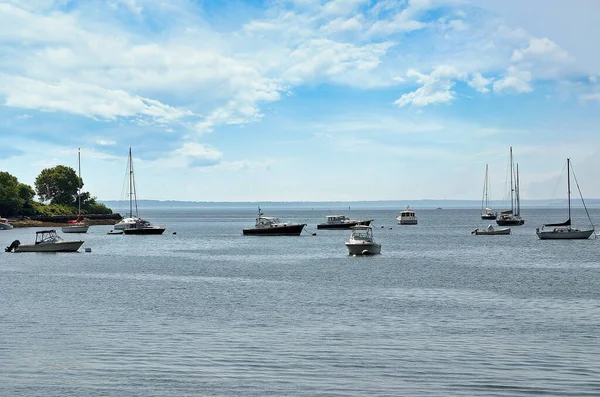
<point x="58" y="191"/>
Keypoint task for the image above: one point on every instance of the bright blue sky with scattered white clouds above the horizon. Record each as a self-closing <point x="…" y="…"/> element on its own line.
<point x="302" y="100"/>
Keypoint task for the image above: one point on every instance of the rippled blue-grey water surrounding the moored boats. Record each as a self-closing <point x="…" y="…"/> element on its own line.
<point x="209" y="312"/>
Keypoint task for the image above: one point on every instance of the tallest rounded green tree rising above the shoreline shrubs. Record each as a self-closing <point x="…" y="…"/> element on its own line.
<point x="58" y="185"/>
